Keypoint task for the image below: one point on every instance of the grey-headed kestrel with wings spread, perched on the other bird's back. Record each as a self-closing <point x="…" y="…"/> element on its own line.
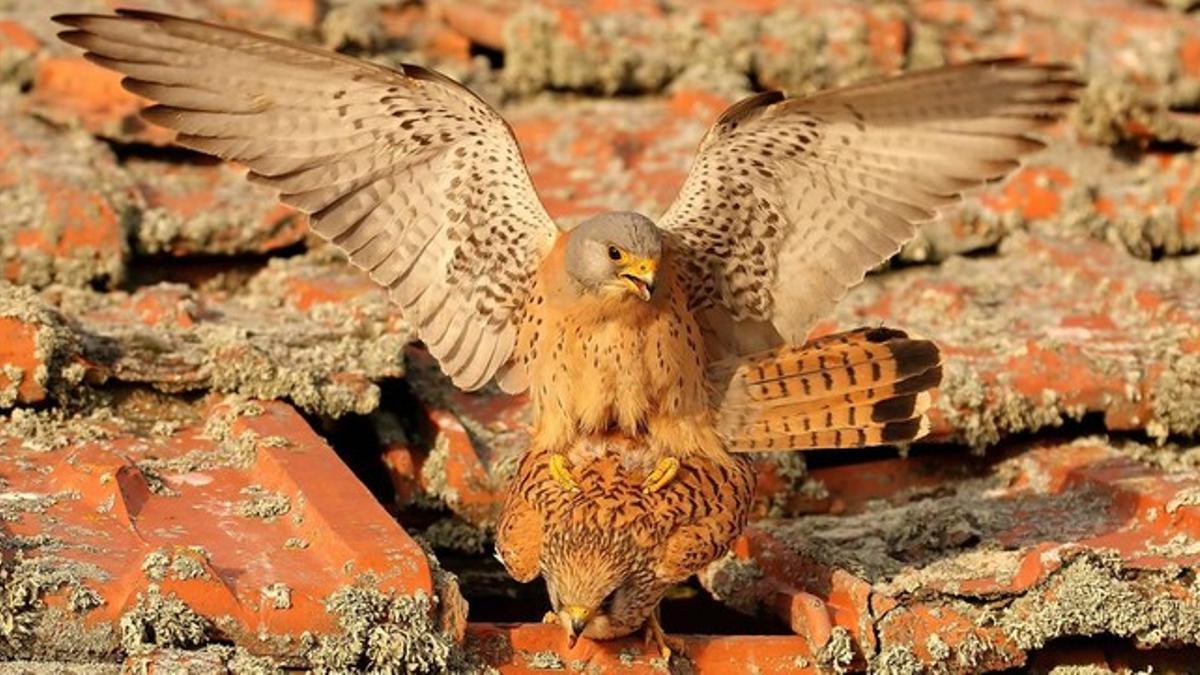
<point x="616" y="325"/>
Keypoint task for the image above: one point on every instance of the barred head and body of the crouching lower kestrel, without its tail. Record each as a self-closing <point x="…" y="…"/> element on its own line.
<point x="610" y="551"/>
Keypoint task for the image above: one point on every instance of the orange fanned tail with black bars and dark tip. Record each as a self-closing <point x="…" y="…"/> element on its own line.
<point x="860" y="389"/>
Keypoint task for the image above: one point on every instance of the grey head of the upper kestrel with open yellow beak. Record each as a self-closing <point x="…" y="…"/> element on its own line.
<point x="615" y="253"/>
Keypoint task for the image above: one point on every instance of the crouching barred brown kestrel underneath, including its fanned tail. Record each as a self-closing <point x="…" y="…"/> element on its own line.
<point x="610" y="549"/>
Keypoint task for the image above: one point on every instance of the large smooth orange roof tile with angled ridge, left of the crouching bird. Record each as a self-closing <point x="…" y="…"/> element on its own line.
<point x="155" y="524"/>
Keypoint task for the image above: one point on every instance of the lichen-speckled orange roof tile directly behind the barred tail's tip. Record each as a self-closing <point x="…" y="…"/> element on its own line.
<point x="1048" y="332"/>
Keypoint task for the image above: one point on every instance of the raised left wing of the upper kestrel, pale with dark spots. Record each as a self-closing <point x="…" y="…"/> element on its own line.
<point x="415" y="177"/>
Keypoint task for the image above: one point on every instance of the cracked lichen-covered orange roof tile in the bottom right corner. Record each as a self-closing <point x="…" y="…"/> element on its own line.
<point x="1057" y="541"/>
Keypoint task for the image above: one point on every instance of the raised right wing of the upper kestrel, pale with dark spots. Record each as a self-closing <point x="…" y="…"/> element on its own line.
<point x="793" y="201"/>
